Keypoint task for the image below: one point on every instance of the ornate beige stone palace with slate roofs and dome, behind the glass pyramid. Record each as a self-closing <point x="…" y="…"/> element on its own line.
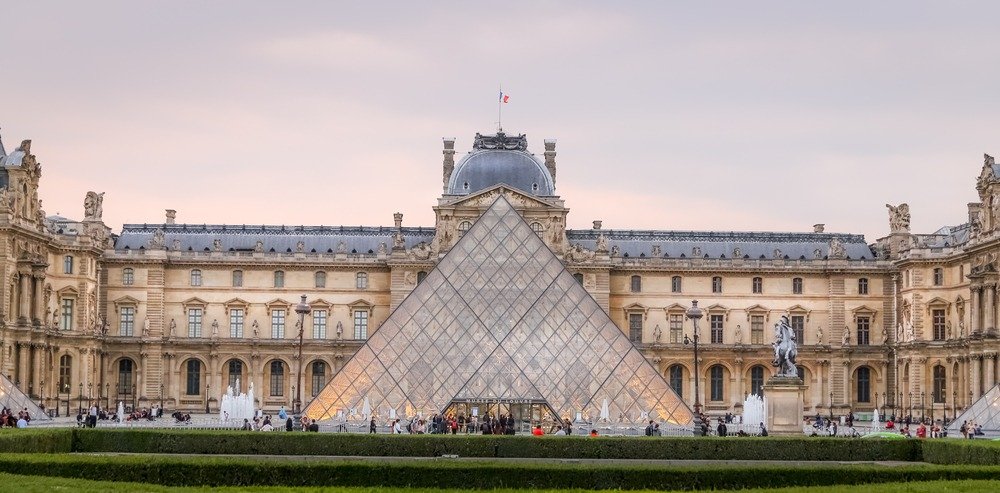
<point x="174" y="313"/>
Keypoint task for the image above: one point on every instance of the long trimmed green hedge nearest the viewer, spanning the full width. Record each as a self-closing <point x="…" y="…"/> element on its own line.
<point x="466" y="474"/>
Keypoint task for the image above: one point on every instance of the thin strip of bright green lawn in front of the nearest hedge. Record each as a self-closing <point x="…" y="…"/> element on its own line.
<point x="32" y="484"/>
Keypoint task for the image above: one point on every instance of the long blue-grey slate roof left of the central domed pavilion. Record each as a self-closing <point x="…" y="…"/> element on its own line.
<point x="321" y="239"/>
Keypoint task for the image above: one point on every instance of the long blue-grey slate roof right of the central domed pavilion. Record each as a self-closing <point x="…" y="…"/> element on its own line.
<point x="715" y="244"/>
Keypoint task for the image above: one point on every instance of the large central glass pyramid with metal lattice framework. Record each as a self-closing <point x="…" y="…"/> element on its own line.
<point x="500" y="319"/>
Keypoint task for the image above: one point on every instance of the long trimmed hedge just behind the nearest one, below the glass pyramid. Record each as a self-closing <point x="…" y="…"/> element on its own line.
<point x="247" y="443"/>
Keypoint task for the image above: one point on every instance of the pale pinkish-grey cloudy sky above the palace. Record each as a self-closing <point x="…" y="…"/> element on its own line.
<point x="700" y="115"/>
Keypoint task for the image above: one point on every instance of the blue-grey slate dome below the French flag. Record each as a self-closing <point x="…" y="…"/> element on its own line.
<point x="500" y="159"/>
